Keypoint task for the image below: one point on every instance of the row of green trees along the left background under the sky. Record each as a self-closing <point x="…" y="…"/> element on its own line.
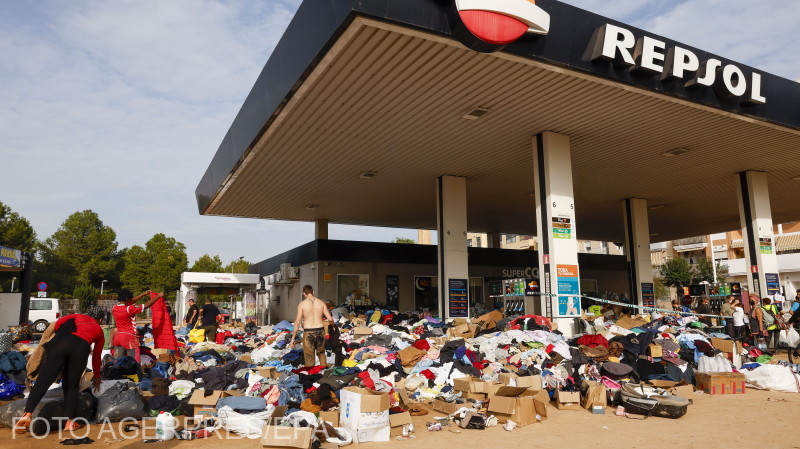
<point x="83" y="252"/>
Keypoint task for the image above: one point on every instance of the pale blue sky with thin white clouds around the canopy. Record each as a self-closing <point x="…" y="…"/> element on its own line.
<point x="119" y="106"/>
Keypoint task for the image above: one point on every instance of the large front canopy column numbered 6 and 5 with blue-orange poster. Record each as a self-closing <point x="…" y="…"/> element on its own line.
<point x="555" y="223"/>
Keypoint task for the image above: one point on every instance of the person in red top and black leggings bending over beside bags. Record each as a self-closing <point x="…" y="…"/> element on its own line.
<point x="66" y="354"/>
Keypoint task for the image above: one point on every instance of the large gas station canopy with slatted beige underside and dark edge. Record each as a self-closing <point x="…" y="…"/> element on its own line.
<point x="362" y="105"/>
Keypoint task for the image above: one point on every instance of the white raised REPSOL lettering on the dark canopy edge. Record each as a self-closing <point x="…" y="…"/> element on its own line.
<point x="651" y="56"/>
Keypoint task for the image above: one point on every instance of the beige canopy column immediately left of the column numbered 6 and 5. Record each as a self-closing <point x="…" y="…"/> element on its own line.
<point x="451" y="228"/>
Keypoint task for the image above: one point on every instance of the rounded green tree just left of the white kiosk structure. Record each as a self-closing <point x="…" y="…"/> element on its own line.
<point x="157" y="266"/>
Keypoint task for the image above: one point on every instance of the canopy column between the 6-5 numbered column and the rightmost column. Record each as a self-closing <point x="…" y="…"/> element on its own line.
<point x="637" y="252"/>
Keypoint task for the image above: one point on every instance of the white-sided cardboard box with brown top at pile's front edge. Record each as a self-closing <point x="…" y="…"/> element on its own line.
<point x="363" y="409"/>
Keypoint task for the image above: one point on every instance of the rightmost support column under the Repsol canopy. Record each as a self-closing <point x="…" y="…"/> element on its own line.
<point x="755" y="214"/>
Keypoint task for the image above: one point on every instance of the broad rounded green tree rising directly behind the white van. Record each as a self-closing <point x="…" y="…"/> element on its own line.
<point x="82" y="251"/>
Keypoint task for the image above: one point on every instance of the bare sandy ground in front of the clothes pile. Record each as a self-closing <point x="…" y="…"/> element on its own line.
<point x="711" y="422"/>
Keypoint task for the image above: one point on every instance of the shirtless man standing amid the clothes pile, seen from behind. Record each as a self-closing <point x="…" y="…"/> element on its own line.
<point x="310" y="313"/>
